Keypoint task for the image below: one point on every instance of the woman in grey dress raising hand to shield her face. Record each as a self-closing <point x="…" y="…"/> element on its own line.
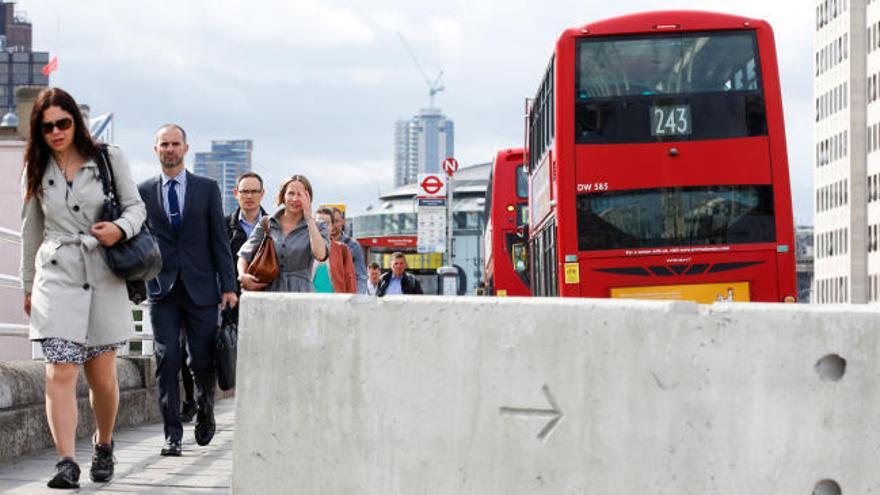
<point x="298" y="238"/>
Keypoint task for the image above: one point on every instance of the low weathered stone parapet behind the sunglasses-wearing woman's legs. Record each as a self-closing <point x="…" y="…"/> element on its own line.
<point x="23" y="426"/>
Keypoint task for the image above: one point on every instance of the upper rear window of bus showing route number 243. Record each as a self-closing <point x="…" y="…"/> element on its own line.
<point x="690" y="86"/>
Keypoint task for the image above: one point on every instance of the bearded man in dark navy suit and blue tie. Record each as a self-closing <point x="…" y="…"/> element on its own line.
<point x="186" y="216"/>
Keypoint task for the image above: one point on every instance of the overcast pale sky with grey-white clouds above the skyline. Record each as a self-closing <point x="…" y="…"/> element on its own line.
<point x="318" y="84"/>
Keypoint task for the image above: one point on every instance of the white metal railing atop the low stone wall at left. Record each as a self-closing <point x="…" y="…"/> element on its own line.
<point x="141" y="343"/>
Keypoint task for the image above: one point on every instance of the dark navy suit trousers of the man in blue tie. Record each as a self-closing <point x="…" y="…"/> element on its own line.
<point x="172" y="315"/>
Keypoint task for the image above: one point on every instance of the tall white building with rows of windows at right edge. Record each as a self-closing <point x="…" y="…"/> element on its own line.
<point x="847" y="139"/>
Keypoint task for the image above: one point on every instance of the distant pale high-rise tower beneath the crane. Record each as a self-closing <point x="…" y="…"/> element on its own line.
<point x="421" y="144"/>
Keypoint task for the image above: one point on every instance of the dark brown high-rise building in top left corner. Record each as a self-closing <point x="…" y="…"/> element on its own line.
<point x="19" y="66"/>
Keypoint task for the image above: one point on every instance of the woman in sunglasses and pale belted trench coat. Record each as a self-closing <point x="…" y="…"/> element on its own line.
<point x="79" y="310"/>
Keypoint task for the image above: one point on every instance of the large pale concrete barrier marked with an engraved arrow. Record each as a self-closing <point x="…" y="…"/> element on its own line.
<point x="347" y="394"/>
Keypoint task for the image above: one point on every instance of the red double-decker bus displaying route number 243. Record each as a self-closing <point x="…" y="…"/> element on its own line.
<point x="657" y="162"/>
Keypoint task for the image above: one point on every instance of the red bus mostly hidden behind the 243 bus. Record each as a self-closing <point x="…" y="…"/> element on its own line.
<point x="506" y="219"/>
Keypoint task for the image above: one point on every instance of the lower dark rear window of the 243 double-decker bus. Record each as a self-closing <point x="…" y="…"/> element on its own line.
<point x="678" y="216"/>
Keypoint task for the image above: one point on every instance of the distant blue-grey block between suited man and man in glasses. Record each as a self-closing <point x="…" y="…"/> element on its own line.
<point x="224" y="163"/>
